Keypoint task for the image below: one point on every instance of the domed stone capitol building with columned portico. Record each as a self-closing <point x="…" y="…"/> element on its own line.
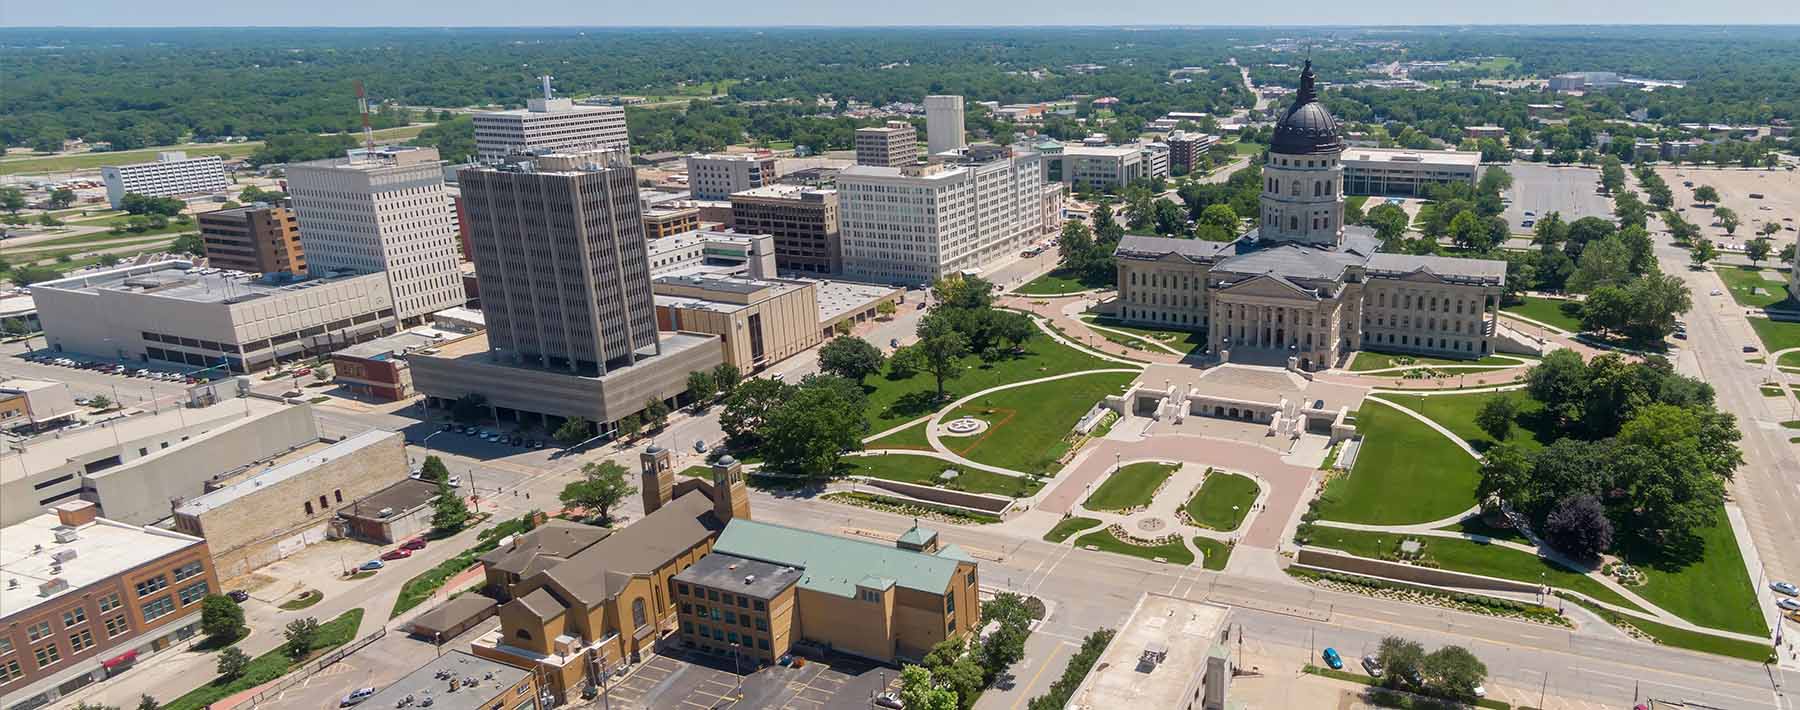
<point x="1304" y="287"/>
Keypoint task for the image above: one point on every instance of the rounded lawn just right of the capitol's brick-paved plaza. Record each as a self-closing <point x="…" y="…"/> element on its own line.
<point x="1407" y="473"/>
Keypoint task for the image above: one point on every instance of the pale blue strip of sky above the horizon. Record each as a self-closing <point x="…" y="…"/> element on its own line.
<point x="712" y="14"/>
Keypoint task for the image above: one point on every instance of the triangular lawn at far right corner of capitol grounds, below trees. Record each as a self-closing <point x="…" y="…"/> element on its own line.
<point x="1714" y="592"/>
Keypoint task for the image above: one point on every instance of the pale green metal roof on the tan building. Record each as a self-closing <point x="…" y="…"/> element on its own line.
<point x="836" y="565"/>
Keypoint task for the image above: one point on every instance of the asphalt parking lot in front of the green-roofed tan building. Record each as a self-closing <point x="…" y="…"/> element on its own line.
<point x="701" y="682"/>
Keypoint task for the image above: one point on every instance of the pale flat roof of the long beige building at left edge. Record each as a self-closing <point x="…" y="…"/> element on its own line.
<point x="58" y="448"/>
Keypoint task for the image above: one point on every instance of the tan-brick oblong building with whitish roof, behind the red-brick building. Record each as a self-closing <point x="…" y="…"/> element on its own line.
<point x="274" y="513"/>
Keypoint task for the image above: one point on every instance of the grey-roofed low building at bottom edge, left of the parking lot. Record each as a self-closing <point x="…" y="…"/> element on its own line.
<point x="462" y="682"/>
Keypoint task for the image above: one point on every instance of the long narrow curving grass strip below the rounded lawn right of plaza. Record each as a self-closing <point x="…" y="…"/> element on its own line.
<point x="1475" y="560"/>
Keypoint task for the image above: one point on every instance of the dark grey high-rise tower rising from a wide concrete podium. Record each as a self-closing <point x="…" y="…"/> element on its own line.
<point x="564" y="268"/>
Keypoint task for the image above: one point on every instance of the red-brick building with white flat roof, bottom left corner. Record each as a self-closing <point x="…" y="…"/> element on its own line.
<point x="93" y="599"/>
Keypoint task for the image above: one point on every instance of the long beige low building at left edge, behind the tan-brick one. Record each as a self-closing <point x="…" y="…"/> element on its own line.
<point x="138" y="464"/>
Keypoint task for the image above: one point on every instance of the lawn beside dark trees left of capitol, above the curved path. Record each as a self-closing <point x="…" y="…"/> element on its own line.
<point x="899" y="401"/>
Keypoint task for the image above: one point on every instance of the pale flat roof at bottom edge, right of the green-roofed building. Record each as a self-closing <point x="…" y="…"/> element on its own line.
<point x="1182" y="630"/>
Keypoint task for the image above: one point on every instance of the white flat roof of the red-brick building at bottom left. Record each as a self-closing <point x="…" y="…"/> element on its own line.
<point x="102" y="549"/>
